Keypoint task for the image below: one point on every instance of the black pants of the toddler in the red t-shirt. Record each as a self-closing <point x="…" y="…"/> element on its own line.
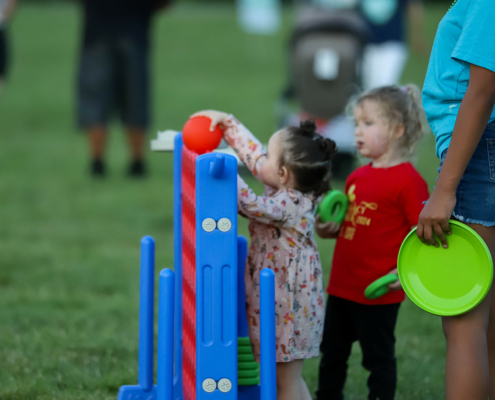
<point x="373" y="326"/>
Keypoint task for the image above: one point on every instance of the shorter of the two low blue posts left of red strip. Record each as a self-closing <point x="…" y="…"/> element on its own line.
<point x="165" y="367"/>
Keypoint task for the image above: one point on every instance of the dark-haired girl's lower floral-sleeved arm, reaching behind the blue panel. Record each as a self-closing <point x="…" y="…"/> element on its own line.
<point x="273" y="210"/>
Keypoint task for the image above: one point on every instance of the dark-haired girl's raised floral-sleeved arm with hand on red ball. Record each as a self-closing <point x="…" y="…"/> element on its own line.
<point x="236" y="135"/>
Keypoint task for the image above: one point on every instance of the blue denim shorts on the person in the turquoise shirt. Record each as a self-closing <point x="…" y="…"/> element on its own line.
<point x="476" y="191"/>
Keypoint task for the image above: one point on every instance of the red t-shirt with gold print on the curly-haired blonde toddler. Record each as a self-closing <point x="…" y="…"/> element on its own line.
<point x="384" y="204"/>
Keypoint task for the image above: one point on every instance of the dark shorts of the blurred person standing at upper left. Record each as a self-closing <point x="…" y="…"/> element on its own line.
<point x="113" y="78"/>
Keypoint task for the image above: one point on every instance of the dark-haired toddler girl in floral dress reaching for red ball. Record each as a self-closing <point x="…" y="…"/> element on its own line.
<point x="295" y="170"/>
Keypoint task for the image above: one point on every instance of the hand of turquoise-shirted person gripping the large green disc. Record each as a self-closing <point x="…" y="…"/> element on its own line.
<point x="435" y="218"/>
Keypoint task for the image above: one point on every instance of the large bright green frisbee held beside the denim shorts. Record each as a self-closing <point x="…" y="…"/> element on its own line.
<point x="446" y="281"/>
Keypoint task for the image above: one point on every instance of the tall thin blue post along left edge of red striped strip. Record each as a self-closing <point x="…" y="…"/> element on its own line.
<point x="178" y="144"/>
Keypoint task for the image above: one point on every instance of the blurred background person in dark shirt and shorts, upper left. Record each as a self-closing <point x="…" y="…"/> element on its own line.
<point x="114" y="75"/>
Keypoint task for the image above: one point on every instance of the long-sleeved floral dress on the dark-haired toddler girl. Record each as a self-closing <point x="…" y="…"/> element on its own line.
<point x="281" y="228"/>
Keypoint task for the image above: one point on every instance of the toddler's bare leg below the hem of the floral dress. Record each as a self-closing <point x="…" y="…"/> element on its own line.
<point x="290" y="384"/>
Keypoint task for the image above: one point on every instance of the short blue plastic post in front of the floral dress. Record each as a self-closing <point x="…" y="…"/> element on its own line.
<point x="267" y="342"/>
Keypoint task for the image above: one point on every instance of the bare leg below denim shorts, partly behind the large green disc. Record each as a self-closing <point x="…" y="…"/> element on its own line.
<point x="467" y="372"/>
